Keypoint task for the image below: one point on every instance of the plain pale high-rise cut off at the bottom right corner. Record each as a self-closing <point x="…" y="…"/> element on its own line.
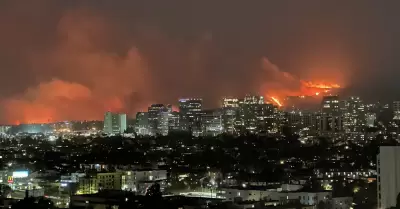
<point x="388" y="167"/>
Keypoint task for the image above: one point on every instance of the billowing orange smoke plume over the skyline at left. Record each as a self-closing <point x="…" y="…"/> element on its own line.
<point x="90" y="81"/>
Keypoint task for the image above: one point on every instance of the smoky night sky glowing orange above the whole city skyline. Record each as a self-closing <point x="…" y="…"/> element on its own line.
<point x="73" y="60"/>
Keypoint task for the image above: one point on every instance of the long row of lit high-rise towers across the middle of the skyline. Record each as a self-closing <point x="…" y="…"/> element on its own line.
<point x="249" y="115"/>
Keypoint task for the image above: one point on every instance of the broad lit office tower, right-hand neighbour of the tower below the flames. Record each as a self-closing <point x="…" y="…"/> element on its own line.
<point x="353" y="111"/>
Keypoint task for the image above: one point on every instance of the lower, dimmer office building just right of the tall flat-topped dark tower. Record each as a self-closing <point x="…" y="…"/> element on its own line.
<point x="211" y="121"/>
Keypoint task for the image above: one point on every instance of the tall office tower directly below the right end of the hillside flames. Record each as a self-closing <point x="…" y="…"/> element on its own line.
<point x="331" y="117"/>
